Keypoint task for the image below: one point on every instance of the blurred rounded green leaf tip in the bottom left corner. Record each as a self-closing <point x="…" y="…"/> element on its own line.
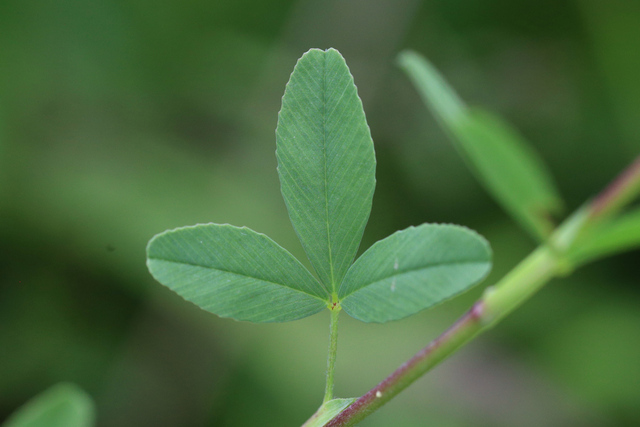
<point x="63" y="405"/>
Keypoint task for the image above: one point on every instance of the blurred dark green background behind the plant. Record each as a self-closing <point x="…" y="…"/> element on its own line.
<point x="122" y="118"/>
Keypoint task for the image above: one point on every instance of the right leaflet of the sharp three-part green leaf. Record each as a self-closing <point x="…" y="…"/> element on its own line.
<point x="414" y="269"/>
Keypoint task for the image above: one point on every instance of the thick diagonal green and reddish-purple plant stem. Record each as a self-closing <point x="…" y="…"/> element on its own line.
<point x="516" y="287"/>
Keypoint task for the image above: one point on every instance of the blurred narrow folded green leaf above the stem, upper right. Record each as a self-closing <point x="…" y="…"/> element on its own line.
<point x="506" y="165"/>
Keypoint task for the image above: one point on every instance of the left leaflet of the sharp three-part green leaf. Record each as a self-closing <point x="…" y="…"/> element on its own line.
<point x="235" y="272"/>
